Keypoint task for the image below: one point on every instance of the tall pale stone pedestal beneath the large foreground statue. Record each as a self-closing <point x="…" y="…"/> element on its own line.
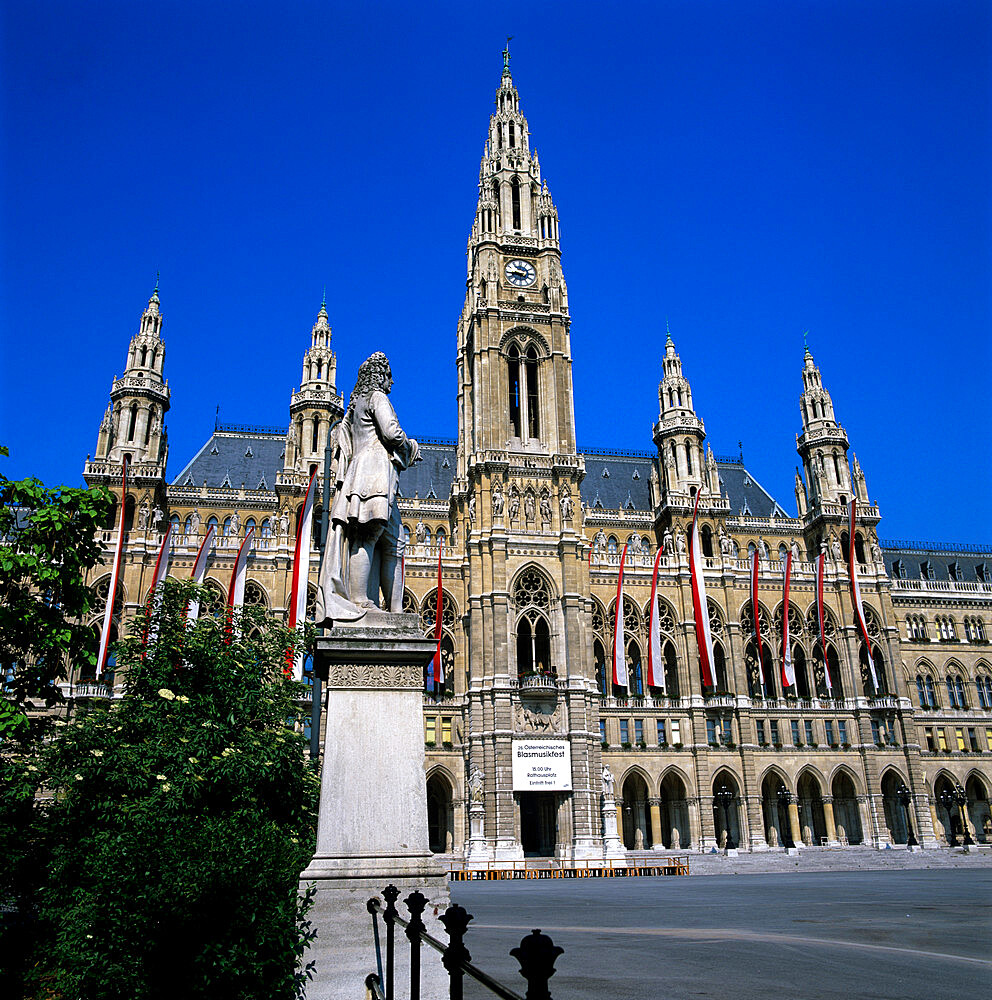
<point x="372" y="828"/>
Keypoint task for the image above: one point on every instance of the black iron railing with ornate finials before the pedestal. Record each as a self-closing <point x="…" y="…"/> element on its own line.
<point x="536" y="954"/>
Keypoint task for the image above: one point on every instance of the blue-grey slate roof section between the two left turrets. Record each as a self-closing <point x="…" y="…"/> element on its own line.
<point x="230" y="458"/>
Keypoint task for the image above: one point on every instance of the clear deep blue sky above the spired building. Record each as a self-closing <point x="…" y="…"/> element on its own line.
<point x="747" y="170"/>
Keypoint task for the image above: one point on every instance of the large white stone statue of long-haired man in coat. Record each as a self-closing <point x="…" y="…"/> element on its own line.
<point x="364" y="552"/>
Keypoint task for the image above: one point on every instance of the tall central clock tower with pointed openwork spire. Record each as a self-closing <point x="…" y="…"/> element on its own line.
<point x="516" y="497"/>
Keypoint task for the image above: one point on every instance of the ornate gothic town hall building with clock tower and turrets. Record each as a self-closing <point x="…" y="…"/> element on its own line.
<point x="532" y="530"/>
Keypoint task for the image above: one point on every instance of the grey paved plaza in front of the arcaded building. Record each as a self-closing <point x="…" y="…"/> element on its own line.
<point x="879" y="933"/>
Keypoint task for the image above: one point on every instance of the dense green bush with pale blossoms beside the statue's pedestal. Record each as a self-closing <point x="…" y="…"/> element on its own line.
<point x="181" y="819"/>
